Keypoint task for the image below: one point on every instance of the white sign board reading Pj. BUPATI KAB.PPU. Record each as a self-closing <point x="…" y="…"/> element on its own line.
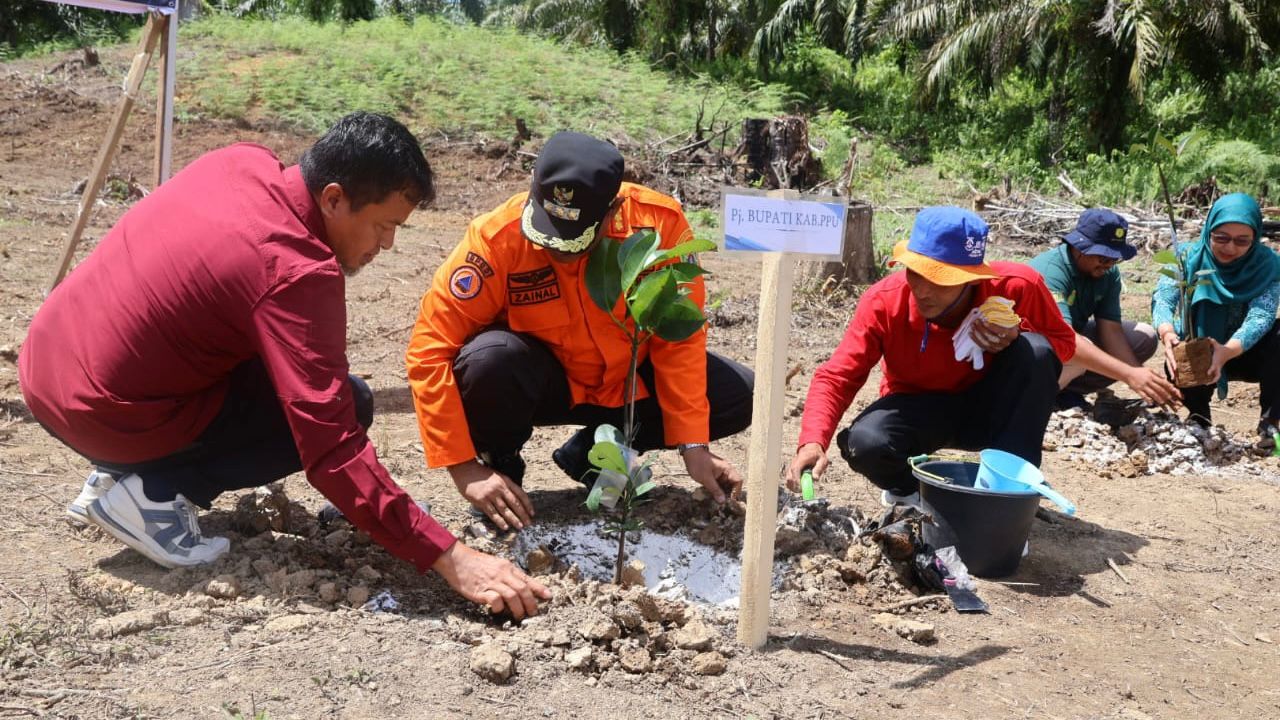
<point x="755" y="224"/>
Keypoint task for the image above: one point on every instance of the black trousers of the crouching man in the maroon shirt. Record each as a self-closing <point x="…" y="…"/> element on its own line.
<point x="249" y="444"/>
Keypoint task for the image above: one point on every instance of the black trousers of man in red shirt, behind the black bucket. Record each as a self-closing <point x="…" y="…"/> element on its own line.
<point x="1008" y="409"/>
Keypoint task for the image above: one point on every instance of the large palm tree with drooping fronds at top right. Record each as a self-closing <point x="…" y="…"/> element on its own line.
<point x="1100" y="53"/>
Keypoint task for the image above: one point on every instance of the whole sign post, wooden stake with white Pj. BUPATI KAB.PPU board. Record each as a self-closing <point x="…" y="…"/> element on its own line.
<point x="783" y="227"/>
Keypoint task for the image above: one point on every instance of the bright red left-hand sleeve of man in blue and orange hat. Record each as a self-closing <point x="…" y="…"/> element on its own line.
<point x="839" y="380"/>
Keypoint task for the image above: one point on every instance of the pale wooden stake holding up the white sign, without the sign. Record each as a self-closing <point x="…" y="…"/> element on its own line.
<point x="762" y="475"/>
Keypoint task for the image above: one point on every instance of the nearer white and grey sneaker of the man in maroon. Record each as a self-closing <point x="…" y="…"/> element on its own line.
<point x="166" y="532"/>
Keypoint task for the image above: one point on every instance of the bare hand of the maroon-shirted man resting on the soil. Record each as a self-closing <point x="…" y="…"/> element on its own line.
<point x="491" y="581"/>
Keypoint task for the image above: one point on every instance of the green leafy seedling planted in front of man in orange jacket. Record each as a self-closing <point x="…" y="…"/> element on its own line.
<point x="646" y="291"/>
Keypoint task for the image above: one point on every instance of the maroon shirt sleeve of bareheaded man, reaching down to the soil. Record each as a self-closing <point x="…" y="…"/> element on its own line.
<point x="301" y="334"/>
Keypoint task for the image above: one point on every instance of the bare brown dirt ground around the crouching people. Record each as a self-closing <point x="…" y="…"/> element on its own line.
<point x="1186" y="623"/>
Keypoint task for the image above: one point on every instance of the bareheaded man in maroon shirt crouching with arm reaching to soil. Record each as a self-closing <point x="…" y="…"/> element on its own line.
<point x="202" y="348"/>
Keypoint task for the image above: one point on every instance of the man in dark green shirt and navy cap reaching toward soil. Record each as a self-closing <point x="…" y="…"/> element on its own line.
<point x="1084" y="277"/>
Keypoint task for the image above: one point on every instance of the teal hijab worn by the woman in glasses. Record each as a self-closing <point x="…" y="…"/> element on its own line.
<point x="1238" y="282"/>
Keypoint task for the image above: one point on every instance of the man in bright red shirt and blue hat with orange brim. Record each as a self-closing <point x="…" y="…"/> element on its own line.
<point x="930" y="399"/>
